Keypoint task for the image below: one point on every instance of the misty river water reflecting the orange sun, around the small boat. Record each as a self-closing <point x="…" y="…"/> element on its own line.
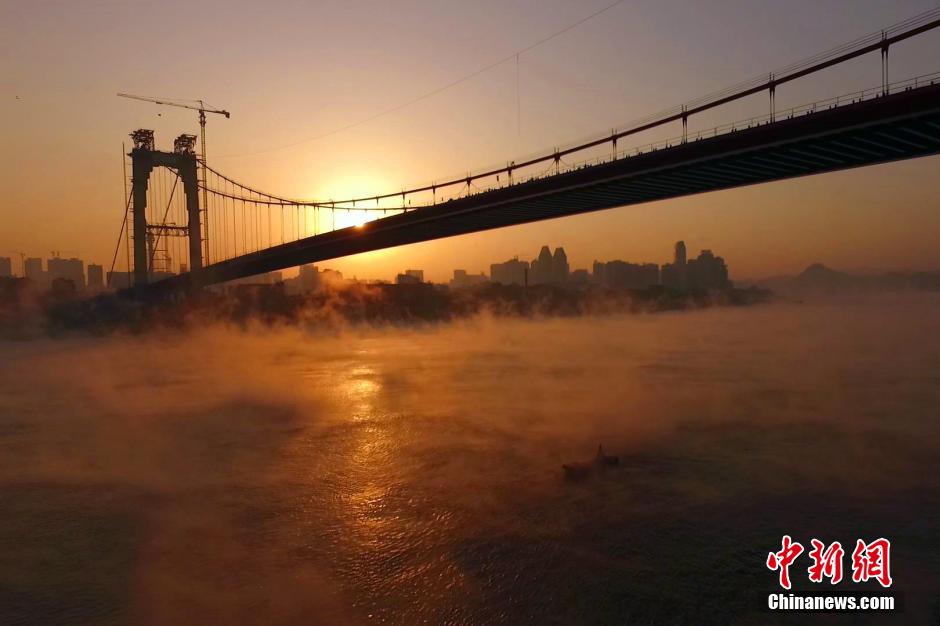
<point x="403" y="475"/>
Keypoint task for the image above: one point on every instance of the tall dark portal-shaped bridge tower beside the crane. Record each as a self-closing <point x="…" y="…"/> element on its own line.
<point x="144" y="158"/>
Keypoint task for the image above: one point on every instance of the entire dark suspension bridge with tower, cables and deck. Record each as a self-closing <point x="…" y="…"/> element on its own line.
<point x="241" y="231"/>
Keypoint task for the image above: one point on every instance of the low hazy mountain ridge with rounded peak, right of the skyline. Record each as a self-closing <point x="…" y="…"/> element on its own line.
<point x="817" y="278"/>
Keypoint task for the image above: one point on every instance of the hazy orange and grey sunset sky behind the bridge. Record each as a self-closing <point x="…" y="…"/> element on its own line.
<point x="294" y="70"/>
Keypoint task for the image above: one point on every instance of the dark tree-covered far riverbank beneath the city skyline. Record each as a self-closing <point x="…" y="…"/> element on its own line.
<point x="357" y="304"/>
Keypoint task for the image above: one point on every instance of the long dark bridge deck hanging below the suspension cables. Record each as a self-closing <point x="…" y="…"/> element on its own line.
<point x="899" y="126"/>
